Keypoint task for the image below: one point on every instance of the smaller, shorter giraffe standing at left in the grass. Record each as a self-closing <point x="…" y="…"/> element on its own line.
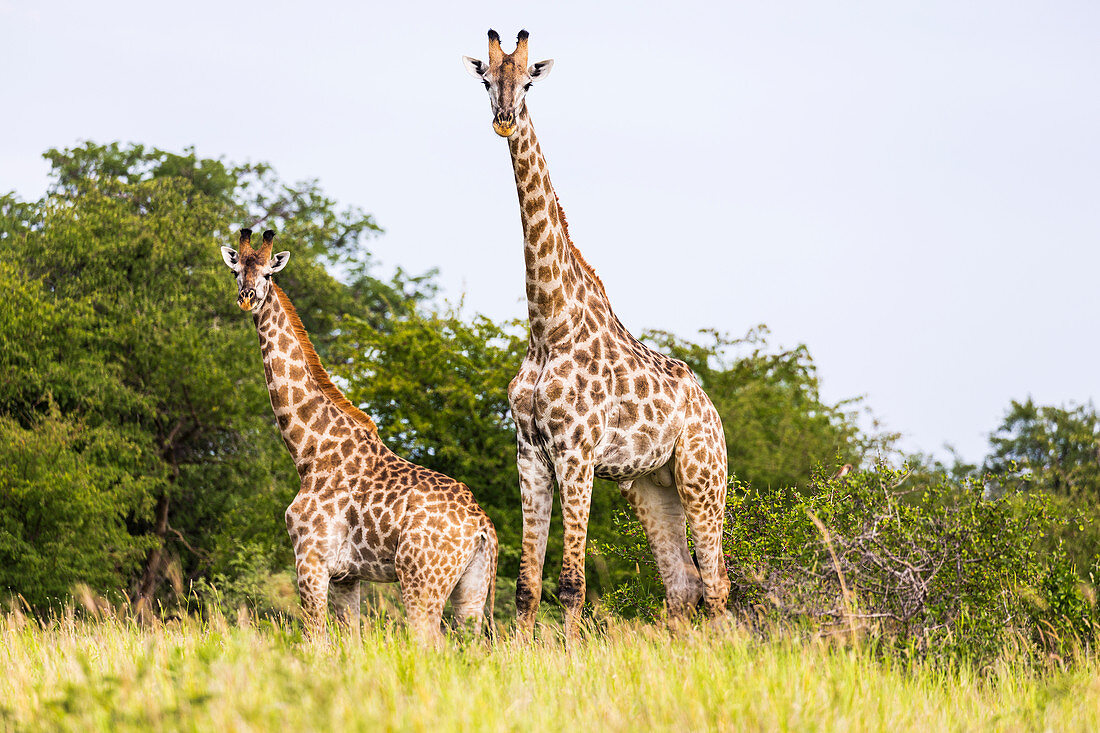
<point x="362" y="512"/>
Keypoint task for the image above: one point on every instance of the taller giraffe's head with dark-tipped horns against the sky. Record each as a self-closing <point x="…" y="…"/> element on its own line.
<point x="508" y="79"/>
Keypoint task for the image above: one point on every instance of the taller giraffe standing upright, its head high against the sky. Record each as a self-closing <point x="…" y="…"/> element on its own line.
<point x="592" y="401"/>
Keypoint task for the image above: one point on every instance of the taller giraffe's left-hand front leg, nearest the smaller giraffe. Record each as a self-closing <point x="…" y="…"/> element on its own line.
<point x="536" y="493"/>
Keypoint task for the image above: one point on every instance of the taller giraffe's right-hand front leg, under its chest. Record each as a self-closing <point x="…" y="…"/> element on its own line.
<point x="576" y="474"/>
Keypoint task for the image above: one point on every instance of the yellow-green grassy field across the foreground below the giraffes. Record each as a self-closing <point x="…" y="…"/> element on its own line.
<point x="115" y="675"/>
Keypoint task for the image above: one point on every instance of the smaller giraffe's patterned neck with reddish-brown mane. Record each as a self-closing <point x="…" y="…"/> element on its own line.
<point x="309" y="408"/>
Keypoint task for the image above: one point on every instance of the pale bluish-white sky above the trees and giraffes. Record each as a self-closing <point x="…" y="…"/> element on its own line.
<point x="910" y="189"/>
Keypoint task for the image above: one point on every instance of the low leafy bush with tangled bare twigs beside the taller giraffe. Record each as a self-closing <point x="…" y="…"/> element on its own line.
<point x="934" y="570"/>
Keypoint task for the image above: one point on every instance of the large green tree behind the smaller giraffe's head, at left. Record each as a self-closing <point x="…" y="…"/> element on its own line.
<point x="129" y="336"/>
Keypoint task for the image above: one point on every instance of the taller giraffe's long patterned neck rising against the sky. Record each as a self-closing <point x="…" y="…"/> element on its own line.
<point x="559" y="283"/>
